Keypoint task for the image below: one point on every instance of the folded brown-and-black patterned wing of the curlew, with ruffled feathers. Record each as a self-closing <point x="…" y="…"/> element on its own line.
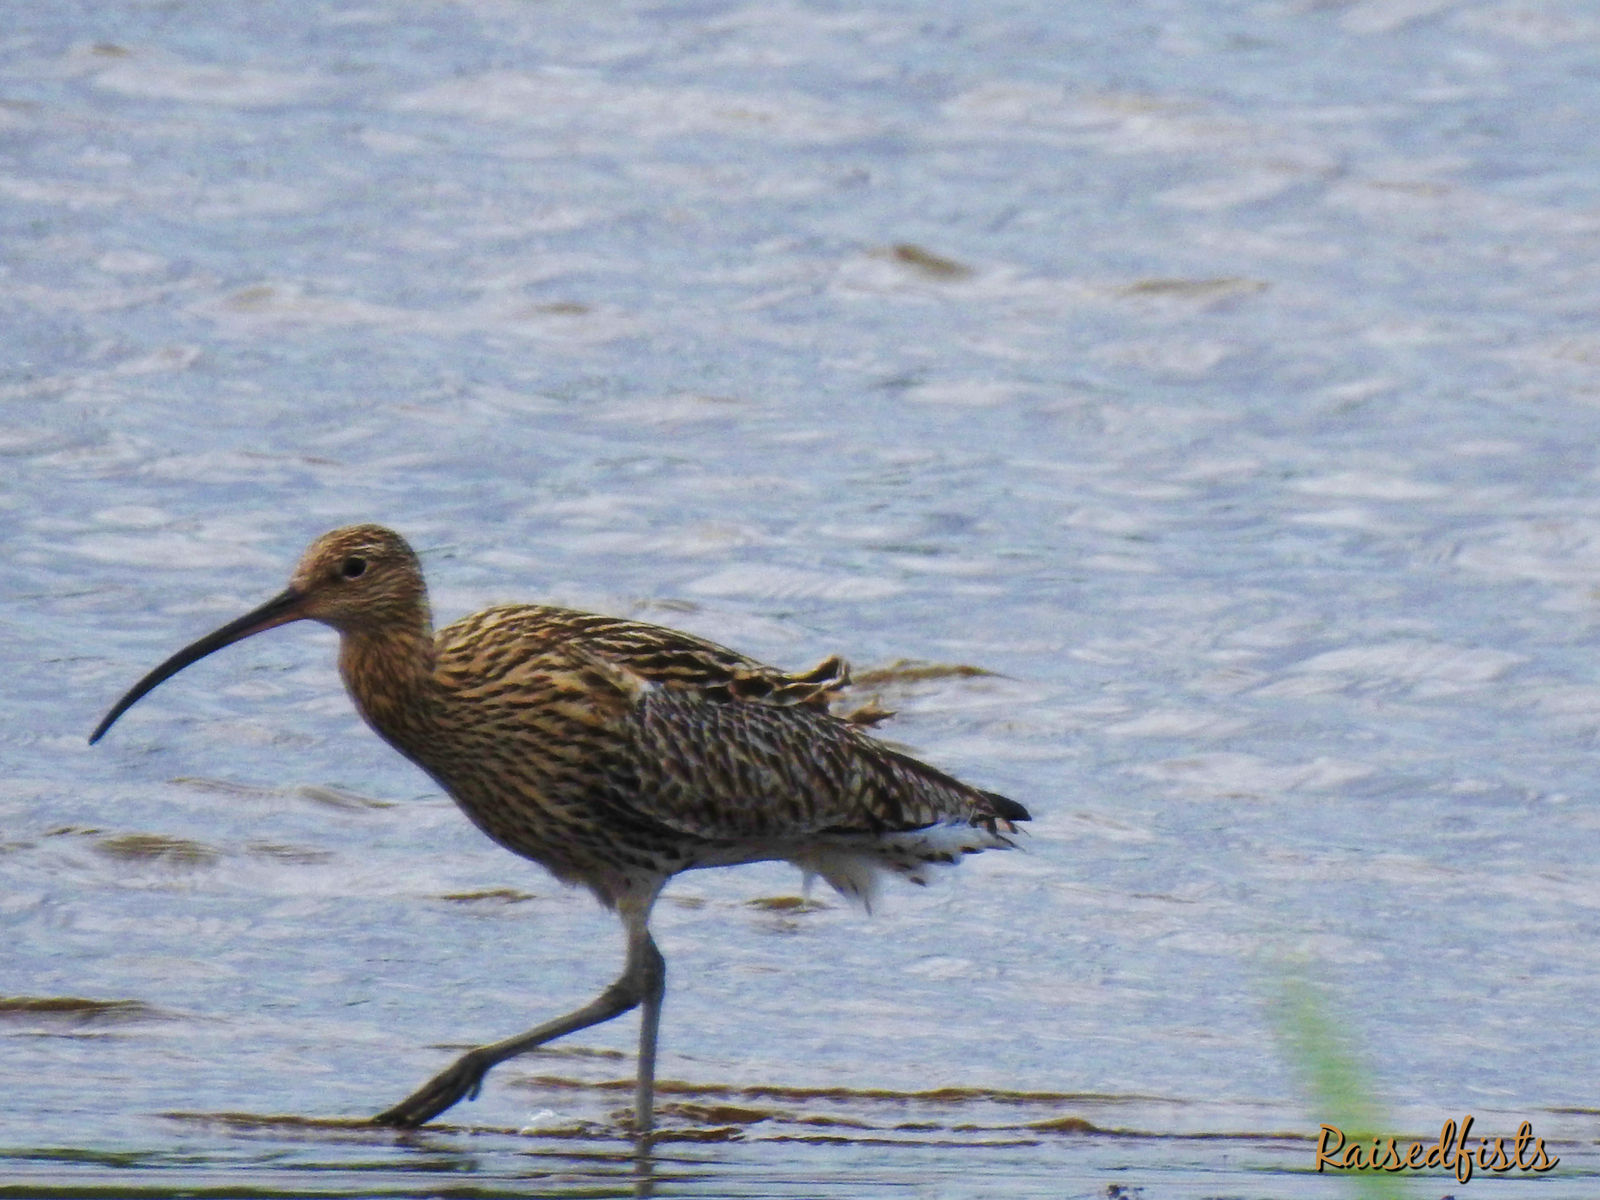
<point x="698" y="738"/>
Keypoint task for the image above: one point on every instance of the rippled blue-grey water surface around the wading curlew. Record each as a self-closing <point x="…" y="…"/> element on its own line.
<point x="1185" y="415"/>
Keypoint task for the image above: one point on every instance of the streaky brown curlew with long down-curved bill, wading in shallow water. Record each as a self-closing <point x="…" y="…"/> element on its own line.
<point x="615" y="754"/>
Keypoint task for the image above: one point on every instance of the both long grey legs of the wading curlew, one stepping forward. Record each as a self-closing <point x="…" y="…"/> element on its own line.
<point x="642" y="983"/>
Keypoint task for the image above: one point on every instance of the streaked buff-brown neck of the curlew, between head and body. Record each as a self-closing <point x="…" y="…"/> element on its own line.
<point x="390" y="674"/>
